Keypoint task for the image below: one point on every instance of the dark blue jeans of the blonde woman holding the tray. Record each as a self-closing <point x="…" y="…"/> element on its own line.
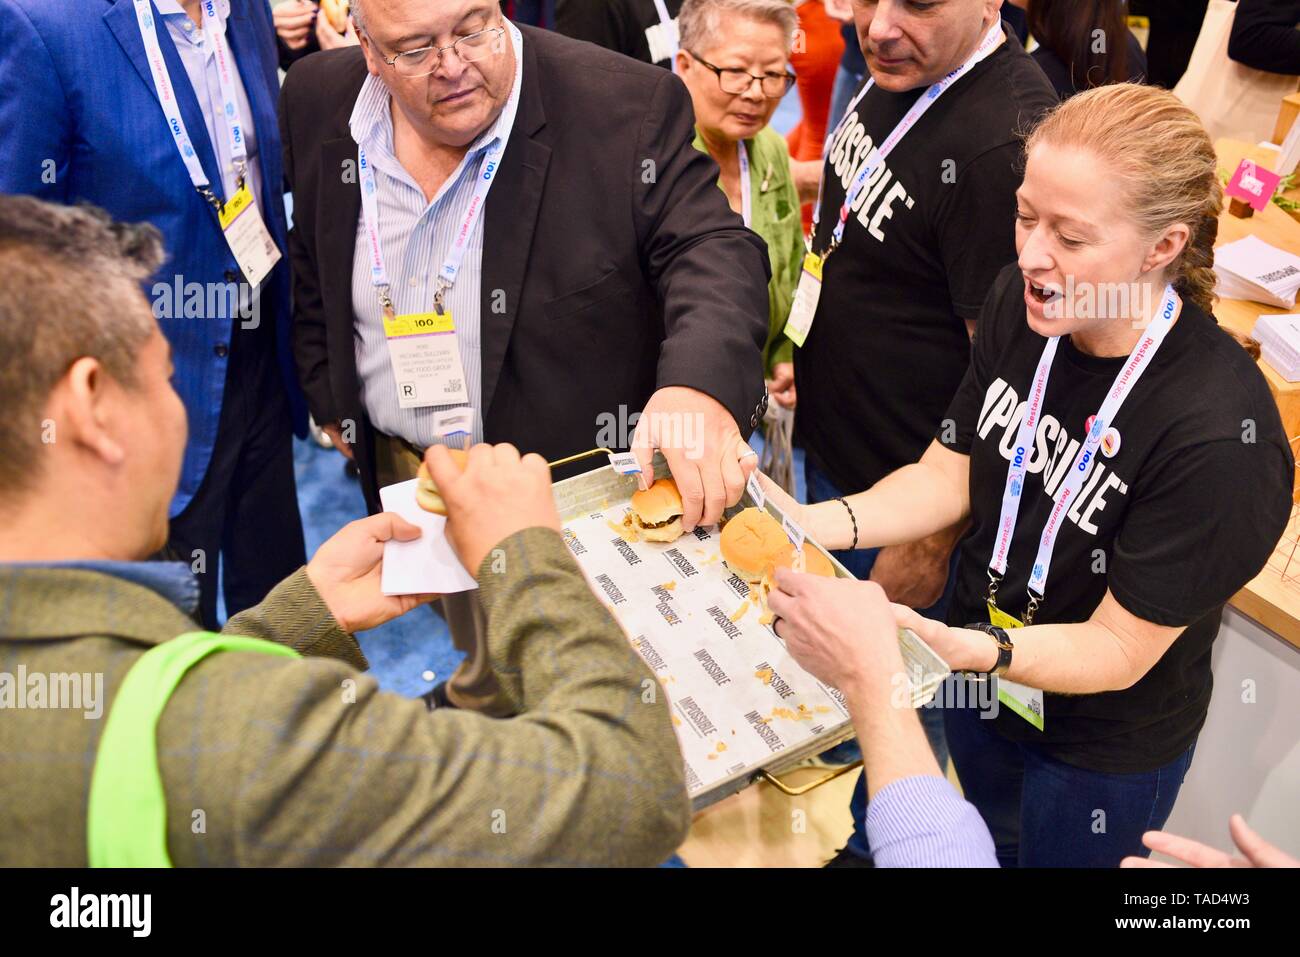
<point x="1045" y="813"/>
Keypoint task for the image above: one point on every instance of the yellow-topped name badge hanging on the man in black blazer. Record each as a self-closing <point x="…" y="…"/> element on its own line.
<point x="426" y="360"/>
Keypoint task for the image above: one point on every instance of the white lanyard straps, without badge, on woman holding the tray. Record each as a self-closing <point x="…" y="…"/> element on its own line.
<point x="1065" y="497"/>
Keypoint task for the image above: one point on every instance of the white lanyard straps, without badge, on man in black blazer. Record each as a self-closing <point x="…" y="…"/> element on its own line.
<point x="488" y="170"/>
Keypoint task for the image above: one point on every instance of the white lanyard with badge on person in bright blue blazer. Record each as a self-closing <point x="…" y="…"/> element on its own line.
<point x="253" y="246"/>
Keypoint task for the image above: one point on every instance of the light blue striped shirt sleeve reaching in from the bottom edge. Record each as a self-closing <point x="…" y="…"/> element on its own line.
<point x="924" y="822"/>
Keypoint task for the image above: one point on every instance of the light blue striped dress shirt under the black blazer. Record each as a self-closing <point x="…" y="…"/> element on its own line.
<point x="417" y="237"/>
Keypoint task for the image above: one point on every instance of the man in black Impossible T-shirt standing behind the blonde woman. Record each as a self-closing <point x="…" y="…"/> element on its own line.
<point x="926" y="239"/>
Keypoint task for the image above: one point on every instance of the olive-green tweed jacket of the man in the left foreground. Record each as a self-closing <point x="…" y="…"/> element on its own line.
<point x="276" y="761"/>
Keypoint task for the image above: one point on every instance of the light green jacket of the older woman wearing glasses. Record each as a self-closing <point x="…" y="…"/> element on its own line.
<point x="775" y="216"/>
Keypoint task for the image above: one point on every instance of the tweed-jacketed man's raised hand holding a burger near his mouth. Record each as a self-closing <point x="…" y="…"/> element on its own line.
<point x="489" y="495"/>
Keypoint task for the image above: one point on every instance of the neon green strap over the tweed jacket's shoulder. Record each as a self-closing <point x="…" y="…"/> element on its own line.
<point x="127" y="821"/>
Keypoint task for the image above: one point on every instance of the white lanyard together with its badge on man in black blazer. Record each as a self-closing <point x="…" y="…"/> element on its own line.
<point x="423" y="348"/>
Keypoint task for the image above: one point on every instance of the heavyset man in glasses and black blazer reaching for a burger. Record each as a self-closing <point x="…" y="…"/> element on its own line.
<point x="610" y="275"/>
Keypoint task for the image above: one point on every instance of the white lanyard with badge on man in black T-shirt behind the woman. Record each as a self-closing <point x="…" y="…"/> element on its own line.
<point x="809" y="291"/>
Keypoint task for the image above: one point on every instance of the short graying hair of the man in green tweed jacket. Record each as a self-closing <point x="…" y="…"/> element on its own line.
<point x="71" y="291"/>
